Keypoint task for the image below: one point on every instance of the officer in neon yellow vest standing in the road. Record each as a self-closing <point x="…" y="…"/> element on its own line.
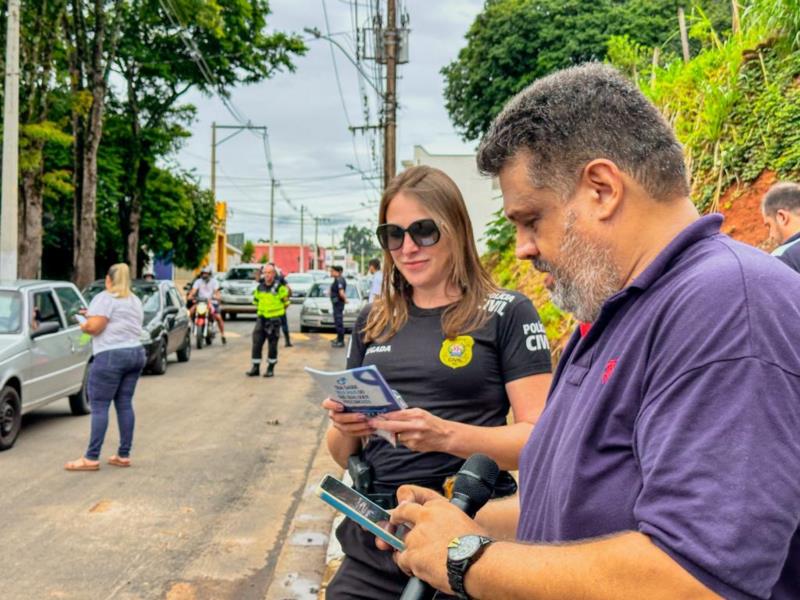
<point x="271" y="297"/>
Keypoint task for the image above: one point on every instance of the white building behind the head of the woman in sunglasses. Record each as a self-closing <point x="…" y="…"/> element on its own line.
<point x="481" y="194"/>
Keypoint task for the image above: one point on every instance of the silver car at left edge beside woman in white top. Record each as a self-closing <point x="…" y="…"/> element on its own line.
<point x="43" y="353"/>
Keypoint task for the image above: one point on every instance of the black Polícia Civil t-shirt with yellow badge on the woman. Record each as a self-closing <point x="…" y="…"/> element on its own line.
<point x="461" y="379"/>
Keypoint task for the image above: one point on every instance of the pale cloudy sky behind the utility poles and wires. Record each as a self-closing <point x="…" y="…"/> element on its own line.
<point x="308" y="120"/>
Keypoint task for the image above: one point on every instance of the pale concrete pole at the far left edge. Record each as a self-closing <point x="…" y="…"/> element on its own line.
<point x="9" y="209"/>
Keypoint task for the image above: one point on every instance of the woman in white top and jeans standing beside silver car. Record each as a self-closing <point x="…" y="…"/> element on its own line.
<point x="114" y="320"/>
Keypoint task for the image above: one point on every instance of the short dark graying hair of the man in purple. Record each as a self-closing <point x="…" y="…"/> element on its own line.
<point x="576" y="115"/>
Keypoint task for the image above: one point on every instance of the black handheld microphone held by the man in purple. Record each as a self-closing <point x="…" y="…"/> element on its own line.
<point x="473" y="487"/>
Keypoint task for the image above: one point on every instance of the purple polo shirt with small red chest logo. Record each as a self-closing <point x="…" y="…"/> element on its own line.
<point x="678" y="415"/>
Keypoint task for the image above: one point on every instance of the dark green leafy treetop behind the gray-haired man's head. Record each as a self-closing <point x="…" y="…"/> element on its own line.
<point x="513" y="42"/>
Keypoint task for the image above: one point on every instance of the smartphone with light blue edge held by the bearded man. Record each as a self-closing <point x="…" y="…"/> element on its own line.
<point x="360" y="509"/>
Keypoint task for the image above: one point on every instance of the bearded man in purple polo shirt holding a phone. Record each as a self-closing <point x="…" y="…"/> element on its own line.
<point x="666" y="463"/>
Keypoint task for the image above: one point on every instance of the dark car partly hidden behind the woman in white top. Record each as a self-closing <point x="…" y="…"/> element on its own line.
<point x="166" y="322"/>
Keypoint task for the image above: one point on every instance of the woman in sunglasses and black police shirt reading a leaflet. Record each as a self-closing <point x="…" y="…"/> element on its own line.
<point x="460" y="351"/>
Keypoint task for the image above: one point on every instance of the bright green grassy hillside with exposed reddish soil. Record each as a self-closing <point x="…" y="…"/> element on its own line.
<point x="736" y="108"/>
